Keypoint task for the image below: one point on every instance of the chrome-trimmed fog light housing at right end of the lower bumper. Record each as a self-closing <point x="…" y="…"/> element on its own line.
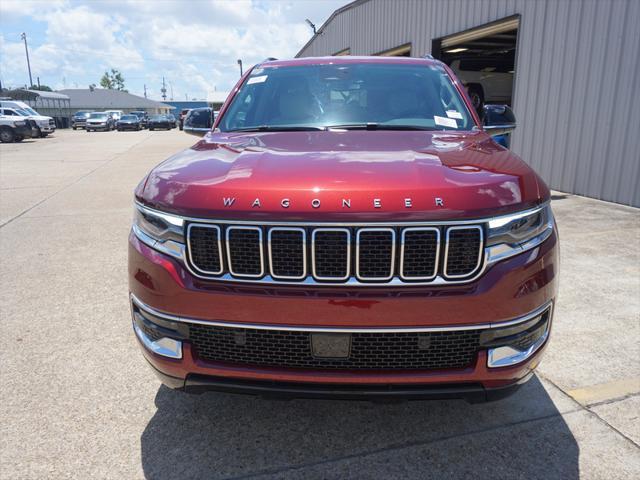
<point x="516" y="343"/>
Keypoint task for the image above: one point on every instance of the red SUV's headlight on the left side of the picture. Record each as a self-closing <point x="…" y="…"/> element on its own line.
<point x="159" y="230"/>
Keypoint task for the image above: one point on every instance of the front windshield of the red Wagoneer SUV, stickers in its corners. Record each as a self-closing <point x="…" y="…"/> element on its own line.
<point x="393" y="96"/>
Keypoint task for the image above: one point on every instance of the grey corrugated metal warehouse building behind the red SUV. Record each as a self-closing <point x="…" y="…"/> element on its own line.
<point x="569" y="68"/>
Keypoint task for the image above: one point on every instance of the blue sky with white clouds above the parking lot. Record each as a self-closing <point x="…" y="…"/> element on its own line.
<point x="194" y="44"/>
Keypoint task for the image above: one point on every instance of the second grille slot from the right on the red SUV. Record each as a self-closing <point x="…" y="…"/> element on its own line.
<point x="420" y="253"/>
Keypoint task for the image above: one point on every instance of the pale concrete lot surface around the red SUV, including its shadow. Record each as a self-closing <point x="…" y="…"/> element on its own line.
<point x="79" y="401"/>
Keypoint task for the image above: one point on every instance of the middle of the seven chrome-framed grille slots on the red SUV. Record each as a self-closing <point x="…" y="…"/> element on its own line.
<point x="331" y="253"/>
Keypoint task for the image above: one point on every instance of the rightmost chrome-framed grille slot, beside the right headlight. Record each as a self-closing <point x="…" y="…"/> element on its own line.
<point x="463" y="253"/>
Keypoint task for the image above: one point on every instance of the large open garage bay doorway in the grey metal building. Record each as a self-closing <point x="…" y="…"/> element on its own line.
<point x="484" y="59"/>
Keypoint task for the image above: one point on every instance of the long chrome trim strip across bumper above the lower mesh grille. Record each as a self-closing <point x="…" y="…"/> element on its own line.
<point x="293" y="328"/>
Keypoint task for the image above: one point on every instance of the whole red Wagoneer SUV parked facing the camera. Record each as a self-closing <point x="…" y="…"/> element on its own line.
<point x="348" y="229"/>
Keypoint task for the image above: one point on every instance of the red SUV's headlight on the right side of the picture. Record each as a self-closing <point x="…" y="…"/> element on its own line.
<point x="513" y="234"/>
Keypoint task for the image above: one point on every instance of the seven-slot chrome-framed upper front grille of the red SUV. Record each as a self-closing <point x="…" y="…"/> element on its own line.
<point x="353" y="255"/>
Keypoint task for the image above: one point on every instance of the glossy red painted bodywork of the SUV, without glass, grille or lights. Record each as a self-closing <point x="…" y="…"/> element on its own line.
<point x="345" y="176"/>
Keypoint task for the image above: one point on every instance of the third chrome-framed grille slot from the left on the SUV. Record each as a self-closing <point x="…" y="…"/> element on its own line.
<point x="287" y="253"/>
